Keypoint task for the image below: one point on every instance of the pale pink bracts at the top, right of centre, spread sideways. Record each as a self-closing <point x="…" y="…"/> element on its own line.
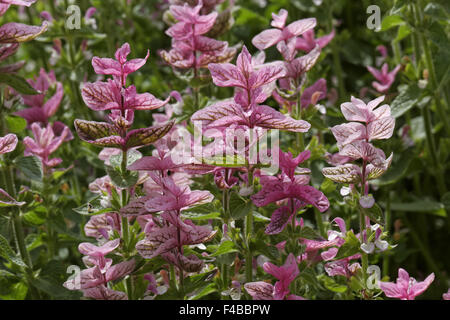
<point x="281" y="32"/>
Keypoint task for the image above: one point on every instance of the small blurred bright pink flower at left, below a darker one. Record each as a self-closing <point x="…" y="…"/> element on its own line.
<point x="45" y="142"/>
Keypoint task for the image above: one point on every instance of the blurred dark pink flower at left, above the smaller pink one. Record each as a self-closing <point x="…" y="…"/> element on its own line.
<point x="41" y="110"/>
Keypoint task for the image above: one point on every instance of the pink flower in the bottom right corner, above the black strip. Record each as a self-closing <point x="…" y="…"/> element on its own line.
<point x="406" y="287"/>
